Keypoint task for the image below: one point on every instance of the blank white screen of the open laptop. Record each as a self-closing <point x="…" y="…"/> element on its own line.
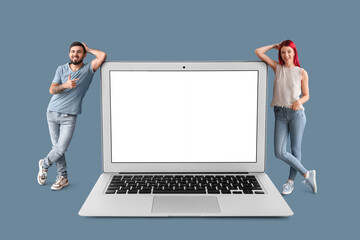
<point x="189" y="116"/>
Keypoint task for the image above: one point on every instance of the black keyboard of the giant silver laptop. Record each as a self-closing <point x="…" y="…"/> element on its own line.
<point x="184" y="184"/>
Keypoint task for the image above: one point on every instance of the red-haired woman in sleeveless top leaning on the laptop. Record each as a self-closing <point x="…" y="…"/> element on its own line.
<point x="291" y="91"/>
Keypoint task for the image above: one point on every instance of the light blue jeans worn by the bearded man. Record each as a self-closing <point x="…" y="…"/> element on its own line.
<point x="61" y="128"/>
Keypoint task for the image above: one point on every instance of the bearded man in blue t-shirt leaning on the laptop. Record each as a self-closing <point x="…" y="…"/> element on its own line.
<point x="69" y="86"/>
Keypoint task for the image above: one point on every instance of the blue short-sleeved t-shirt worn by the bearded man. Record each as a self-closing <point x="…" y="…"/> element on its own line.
<point x="70" y="100"/>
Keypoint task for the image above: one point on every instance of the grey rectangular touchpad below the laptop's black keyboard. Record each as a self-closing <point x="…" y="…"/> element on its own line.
<point x="185" y="204"/>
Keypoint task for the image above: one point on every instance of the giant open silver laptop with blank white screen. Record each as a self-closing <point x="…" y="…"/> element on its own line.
<point x="184" y="139"/>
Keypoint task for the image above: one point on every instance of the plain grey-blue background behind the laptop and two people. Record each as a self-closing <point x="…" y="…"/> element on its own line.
<point x="35" y="37"/>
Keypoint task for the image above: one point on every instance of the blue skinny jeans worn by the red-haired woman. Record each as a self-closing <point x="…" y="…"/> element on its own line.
<point x="289" y="123"/>
